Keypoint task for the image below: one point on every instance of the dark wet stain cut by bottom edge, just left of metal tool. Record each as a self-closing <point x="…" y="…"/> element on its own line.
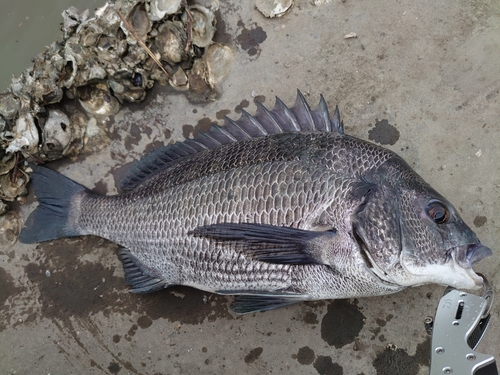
<point x="395" y="361"/>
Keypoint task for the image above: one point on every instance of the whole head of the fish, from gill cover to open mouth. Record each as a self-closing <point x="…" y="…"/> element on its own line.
<point x="411" y="235"/>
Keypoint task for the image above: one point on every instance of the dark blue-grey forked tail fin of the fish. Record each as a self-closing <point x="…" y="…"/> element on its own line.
<point x="49" y="220"/>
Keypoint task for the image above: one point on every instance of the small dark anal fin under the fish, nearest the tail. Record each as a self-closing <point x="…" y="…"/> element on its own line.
<point x="136" y="276"/>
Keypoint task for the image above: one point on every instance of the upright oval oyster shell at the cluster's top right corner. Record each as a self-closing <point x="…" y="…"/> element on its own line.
<point x="203" y="25"/>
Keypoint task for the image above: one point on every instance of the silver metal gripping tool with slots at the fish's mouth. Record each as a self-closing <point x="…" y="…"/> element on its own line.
<point x="460" y="323"/>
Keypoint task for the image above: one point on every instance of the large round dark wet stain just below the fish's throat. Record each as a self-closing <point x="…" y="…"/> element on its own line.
<point x="342" y="323"/>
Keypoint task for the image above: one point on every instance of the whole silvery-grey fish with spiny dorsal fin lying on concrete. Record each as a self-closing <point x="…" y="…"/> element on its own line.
<point x="274" y="208"/>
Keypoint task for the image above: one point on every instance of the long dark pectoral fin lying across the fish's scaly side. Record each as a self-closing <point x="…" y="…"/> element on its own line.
<point x="270" y="243"/>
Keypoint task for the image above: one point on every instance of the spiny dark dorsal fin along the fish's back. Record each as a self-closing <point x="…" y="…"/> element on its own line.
<point x="281" y="119"/>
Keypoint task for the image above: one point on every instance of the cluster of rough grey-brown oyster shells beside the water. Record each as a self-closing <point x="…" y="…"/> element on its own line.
<point x="103" y="63"/>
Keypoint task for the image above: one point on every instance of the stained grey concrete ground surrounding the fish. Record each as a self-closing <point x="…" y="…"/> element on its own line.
<point x="422" y="78"/>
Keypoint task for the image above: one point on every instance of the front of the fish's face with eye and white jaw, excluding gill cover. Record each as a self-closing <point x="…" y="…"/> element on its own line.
<point x="437" y="246"/>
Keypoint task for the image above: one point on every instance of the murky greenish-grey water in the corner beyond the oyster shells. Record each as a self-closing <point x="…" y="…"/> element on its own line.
<point x="28" y="26"/>
